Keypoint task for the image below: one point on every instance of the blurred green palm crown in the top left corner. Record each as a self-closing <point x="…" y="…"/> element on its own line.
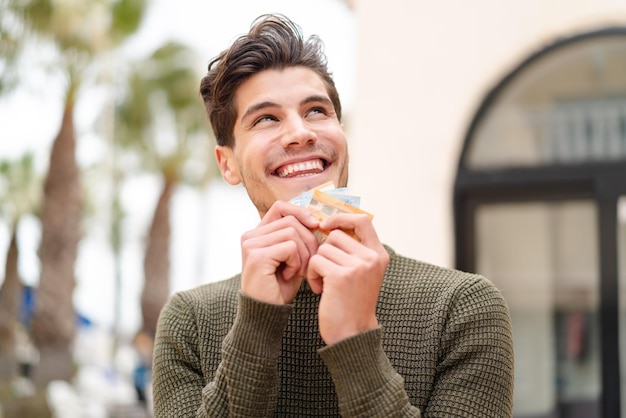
<point x="79" y="30"/>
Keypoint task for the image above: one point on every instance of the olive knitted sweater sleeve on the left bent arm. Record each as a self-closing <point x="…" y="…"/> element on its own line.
<point x="246" y="380"/>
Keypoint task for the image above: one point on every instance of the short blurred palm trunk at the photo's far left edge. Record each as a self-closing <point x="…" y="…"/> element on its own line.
<point x="10" y="303"/>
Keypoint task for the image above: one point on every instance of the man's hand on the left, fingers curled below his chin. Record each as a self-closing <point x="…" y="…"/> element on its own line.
<point x="275" y="255"/>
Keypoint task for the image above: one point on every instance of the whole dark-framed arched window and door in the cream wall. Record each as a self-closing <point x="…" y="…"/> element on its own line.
<point x="540" y="209"/>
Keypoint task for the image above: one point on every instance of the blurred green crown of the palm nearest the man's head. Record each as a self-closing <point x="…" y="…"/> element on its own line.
<point x="161" y="118"/>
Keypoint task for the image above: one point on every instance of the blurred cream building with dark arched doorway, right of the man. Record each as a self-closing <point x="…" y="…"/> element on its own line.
<point x="491" y="136"/>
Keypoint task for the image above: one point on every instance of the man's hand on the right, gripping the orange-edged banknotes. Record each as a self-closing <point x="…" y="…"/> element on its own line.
<point x="348" y="273"/>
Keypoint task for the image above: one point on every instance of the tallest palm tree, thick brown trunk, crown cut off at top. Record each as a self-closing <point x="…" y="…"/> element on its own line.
<point x="79" y="31"/>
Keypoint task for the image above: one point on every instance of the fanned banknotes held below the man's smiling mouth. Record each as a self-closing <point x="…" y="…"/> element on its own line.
<point x="325" y="201"/>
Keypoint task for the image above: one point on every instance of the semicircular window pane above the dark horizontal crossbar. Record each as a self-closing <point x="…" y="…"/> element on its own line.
<point x="565" y="107"/>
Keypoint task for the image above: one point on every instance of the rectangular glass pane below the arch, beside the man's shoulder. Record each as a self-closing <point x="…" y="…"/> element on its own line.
<point x="543" y="256"/>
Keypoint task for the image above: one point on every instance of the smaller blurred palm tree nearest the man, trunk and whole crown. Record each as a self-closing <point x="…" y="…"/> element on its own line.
<point x="162" y="120"/>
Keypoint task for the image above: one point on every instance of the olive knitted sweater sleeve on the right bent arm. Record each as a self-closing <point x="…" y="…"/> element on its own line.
<point x="474" y="375"/>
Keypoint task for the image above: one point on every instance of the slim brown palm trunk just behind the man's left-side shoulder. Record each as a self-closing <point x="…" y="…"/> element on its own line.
<point x="157" y="262"/>
